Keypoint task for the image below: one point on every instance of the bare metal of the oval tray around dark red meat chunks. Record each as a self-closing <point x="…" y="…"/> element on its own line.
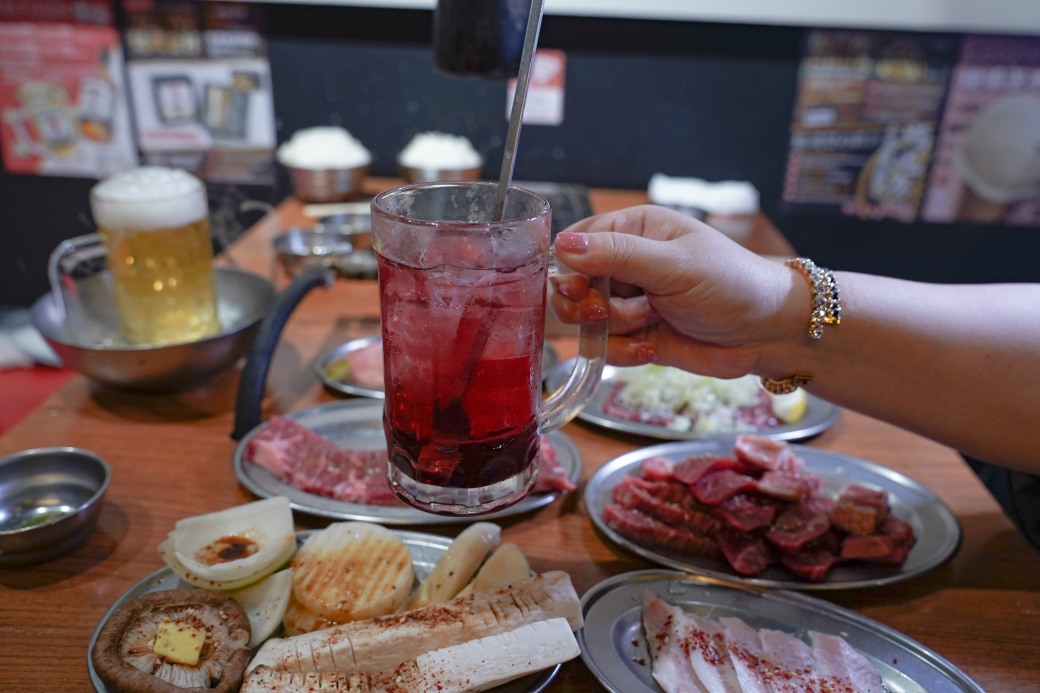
<point x="935" y="526"/>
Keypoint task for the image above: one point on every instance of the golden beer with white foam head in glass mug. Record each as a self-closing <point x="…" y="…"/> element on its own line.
<point x="155" y="226"/>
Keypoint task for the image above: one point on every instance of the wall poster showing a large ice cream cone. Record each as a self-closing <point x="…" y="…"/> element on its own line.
<point x="987" y="164"/>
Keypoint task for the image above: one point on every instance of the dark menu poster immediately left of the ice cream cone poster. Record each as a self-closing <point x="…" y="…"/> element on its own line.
<point x="866" y="121"/>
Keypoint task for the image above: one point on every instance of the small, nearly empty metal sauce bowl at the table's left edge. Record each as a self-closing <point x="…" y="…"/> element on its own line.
<point x="50" y="502"/>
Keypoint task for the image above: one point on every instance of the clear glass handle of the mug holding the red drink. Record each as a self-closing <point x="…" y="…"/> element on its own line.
<point x="567" y="402"/>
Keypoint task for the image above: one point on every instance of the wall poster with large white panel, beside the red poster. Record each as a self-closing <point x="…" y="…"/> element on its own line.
<point x="201" y="89"/>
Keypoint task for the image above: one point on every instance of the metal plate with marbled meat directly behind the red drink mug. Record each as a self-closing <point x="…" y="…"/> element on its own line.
<point x="331" y="461"/>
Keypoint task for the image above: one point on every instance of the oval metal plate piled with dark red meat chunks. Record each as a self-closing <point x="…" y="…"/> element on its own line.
<point x="770" y="514"/>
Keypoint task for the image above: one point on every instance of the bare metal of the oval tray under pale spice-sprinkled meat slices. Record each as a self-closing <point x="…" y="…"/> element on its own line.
<point x="615" y="650"/>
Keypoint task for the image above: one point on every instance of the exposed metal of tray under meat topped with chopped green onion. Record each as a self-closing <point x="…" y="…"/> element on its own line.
<point x="820" y="416"/>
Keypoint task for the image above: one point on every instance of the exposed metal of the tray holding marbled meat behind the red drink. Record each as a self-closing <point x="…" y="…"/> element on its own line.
<point x="358" y="424"/>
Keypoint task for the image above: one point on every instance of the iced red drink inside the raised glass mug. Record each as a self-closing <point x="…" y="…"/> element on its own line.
<point x="463" y="376"/>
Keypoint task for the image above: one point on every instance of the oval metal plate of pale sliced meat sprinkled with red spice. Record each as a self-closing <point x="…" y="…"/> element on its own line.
<point x="654" y="631"/>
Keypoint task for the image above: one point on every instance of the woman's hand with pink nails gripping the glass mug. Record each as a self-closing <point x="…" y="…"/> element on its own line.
<point x="683" y="294"/>
